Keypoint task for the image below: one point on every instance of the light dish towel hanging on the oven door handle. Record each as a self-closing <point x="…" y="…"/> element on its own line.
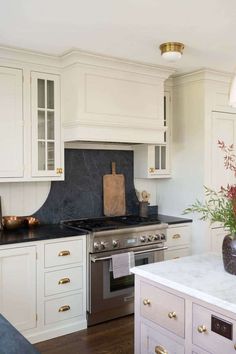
<point x="121" y="264"/>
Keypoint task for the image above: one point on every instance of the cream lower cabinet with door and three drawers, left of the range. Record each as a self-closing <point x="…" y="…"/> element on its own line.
<point x="43" y="287"/>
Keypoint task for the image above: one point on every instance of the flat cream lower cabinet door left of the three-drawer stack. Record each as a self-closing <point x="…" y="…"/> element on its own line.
<point x="18" y="286"/>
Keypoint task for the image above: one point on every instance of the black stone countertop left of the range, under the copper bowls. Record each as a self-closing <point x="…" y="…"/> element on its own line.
<point x="37" y="233"/>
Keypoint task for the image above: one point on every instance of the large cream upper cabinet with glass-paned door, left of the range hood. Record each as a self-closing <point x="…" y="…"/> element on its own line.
<point x="31" y="147"/>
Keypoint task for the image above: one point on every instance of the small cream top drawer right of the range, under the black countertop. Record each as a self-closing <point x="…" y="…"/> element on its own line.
<point x="178" y="236"/>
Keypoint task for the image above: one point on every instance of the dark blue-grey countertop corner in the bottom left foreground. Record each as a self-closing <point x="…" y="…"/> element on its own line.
<point x="11" y="341"/>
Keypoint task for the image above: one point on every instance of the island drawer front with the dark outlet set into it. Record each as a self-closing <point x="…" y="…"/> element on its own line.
<point x="209" y="340"/>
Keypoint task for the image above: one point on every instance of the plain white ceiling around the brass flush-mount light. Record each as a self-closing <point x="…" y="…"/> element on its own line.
<point x="131" y="29"/>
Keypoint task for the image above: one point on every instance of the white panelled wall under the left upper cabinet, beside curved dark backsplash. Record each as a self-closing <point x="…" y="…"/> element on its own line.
<point x="23" y="198"/>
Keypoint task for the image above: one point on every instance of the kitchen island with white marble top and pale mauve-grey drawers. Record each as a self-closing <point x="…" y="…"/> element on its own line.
<point x="185" y="305"/>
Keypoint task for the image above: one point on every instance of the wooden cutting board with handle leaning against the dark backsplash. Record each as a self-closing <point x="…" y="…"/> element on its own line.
<point x="114" y="193"/>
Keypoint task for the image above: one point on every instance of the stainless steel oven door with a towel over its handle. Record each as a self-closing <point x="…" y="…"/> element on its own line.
<point x="106" y="293"/>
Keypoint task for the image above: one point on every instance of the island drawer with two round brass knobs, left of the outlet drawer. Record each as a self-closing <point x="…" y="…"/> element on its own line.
<point x="163" y="308"/>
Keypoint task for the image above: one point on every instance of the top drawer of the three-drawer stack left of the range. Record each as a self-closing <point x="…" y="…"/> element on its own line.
<point x="62" y="253"/>
